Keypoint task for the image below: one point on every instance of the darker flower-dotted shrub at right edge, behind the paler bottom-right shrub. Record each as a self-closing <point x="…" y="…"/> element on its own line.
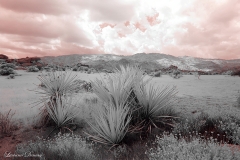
<point x="224" y="128"/>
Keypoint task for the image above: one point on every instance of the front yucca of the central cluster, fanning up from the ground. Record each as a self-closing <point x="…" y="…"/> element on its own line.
<point x="112" y="123"/>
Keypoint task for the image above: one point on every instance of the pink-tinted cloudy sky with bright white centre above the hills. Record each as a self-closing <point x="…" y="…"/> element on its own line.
<point x="198" y="28"/>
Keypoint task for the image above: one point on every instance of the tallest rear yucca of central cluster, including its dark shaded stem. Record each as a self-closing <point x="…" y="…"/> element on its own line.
<point x="119" y="87"/>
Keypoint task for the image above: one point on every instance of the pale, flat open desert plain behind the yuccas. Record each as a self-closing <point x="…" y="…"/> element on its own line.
<point x="217" y="91"/>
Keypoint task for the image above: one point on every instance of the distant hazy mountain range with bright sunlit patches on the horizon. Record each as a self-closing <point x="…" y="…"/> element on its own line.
<point x="151" y="61"/>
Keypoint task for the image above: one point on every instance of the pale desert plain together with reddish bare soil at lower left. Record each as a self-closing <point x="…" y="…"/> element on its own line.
<point x="213" y="94"/>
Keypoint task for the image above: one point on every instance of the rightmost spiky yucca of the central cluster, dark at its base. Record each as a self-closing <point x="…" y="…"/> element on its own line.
<point x="155" y="104"/>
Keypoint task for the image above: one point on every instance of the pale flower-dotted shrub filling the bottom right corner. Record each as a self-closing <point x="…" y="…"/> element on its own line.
<point x="169" y="147"/>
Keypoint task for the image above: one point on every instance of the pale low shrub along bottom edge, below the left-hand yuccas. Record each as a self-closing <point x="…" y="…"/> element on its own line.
<point x="60" y="147"/>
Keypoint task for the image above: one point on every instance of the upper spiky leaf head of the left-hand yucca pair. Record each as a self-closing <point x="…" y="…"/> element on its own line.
<point x="61" y="83"/>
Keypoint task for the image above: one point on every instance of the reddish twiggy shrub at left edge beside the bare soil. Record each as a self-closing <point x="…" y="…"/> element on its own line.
<point x="6" y="123"/>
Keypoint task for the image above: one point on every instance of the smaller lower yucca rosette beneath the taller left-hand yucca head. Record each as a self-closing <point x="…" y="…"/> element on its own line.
<point x="61" y="111"/>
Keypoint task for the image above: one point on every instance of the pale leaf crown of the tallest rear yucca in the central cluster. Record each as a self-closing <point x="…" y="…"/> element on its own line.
<point x="119" y="85"/>
